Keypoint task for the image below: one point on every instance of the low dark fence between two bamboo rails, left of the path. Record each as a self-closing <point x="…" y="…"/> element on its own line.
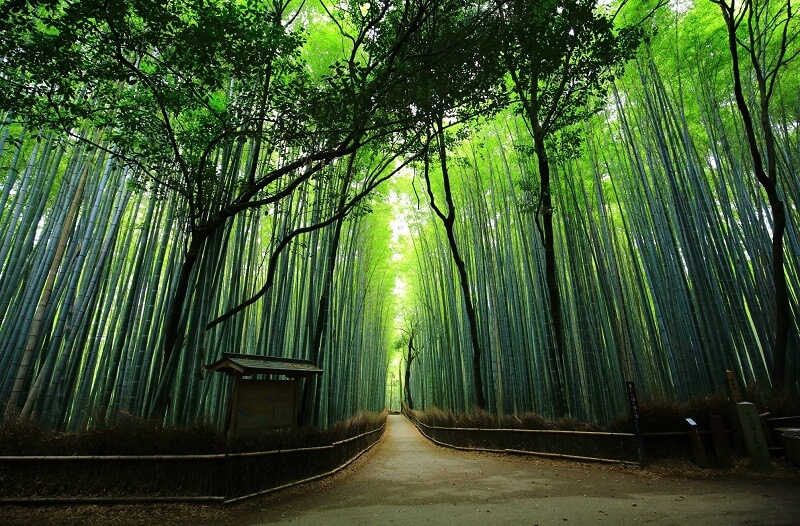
<point x="173" y="478"/>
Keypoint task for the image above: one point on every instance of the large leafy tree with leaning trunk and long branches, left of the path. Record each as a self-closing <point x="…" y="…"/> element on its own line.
<point x="214" y="105"/>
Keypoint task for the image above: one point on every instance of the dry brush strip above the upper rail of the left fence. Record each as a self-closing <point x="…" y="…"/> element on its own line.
<point x="20" y="436"/>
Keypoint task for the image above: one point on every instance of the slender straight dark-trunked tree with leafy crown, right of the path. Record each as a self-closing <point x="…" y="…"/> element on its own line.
<point x="561" y="60"/>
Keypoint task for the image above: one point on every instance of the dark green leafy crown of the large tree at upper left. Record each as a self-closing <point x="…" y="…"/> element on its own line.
<point x="168" y="83"/>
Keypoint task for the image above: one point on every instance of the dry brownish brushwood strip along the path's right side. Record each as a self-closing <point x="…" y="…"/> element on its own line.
<point x="656" y="415"/>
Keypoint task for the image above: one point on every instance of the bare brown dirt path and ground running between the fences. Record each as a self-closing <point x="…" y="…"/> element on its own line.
<point x="407" y="480"/>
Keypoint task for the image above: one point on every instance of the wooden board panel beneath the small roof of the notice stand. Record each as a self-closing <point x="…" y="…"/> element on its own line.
<point x="265" y="404"/>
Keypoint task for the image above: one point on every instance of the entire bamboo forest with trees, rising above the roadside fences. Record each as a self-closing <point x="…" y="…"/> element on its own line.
<point x="512" y="206"/>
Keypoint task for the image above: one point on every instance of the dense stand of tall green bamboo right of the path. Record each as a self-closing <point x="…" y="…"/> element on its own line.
<point x="658" y="233"/>
